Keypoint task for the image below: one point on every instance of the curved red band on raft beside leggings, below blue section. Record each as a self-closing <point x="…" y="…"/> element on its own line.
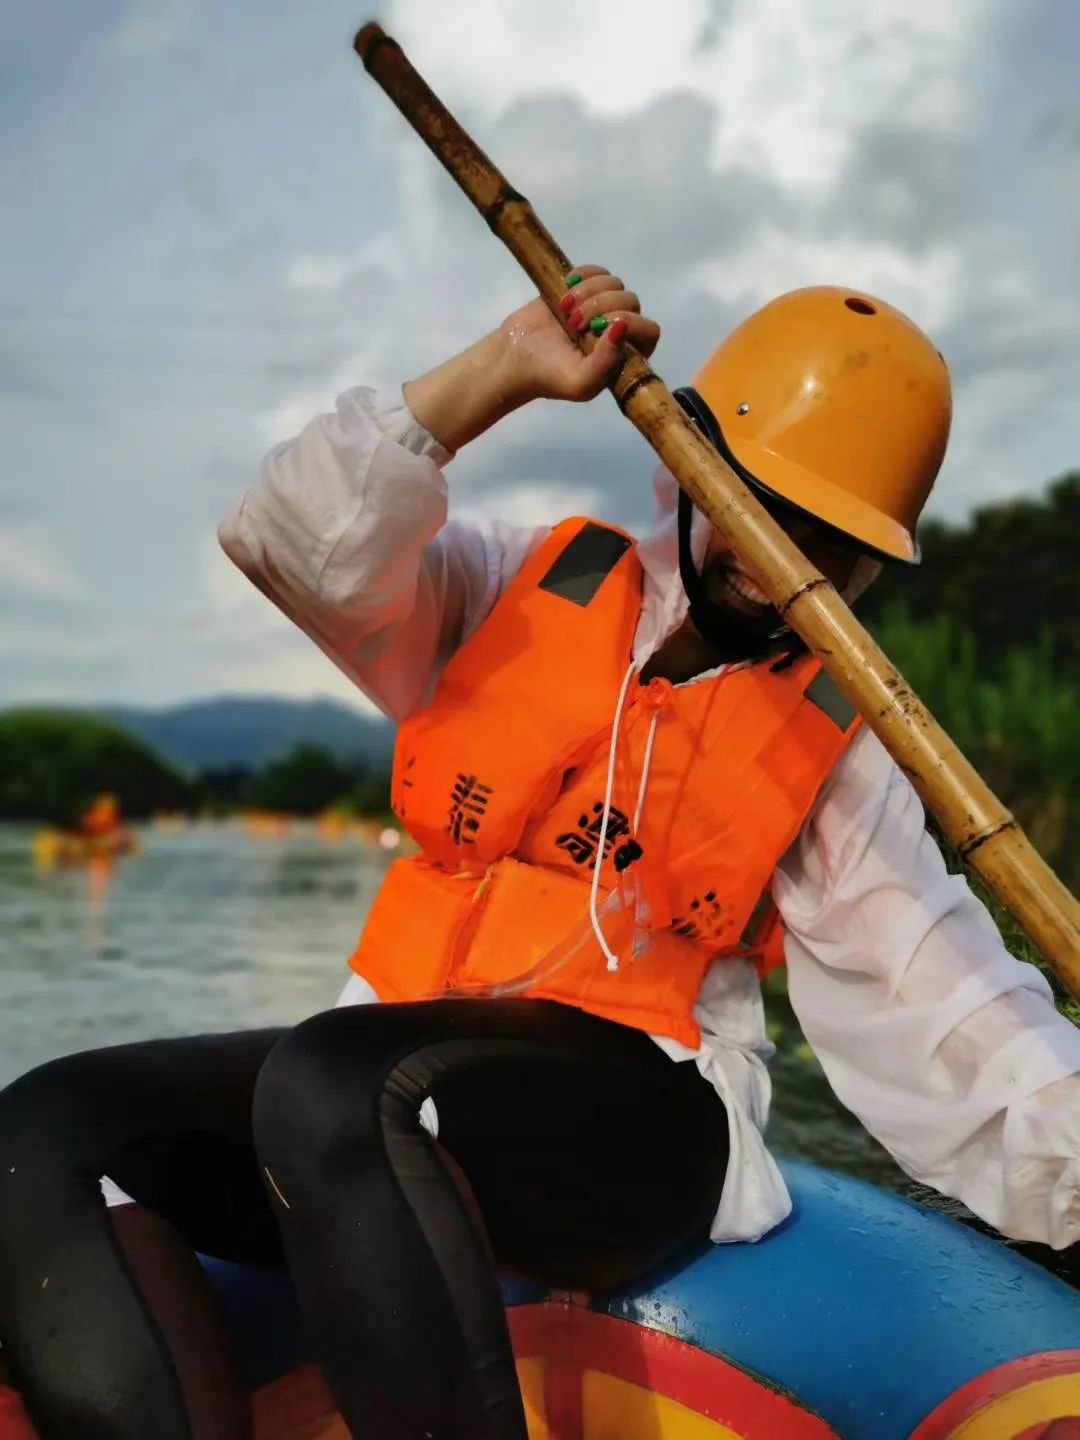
<point x="577" y="1340"/>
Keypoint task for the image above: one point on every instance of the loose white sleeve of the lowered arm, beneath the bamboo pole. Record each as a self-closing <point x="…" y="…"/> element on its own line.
<point x="948" y="1049"/>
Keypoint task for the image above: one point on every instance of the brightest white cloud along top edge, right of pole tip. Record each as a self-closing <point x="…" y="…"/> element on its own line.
<point x="791" y="80"/>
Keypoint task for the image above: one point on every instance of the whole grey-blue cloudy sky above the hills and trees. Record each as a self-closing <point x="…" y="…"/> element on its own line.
<point x="215" y="222"/>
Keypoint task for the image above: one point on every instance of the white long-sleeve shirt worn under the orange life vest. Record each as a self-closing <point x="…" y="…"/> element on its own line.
<point x="947" y="1049"/>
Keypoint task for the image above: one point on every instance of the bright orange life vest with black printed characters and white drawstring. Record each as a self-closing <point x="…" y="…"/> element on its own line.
<point x="502" y="784"/>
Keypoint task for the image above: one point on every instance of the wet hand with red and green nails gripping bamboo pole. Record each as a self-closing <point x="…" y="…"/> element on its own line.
<point x="544" y="361"/>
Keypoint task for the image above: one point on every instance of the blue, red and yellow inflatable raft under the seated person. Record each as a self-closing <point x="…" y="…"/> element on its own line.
<point x="862" y="1318"/>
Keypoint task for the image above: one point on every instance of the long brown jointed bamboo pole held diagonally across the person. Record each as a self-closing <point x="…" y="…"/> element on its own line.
<point x="984" y="833"/>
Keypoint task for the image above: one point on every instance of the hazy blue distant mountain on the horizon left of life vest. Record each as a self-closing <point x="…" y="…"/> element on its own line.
<point x="251" y="731"/>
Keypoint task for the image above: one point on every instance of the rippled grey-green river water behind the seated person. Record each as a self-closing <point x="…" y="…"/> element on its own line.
<point x="212" y="928"/>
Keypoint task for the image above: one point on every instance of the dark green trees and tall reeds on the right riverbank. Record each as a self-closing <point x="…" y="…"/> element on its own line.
<point x="987" y="631"/>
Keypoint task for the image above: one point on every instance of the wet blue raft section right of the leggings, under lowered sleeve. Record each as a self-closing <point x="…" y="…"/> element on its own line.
<point x="865" y="1307"/>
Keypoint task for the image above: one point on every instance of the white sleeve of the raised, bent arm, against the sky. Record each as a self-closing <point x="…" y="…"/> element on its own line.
<point x="348" y="534"/>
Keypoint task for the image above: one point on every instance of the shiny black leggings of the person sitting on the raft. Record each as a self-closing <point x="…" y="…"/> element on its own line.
<point x="571" y="1151"/>
